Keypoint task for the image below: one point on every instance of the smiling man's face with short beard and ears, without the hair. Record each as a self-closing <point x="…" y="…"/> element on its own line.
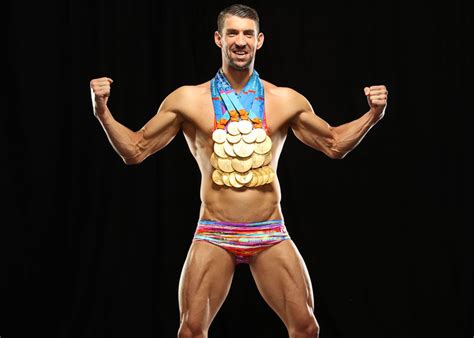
<point x="239" y="42"/>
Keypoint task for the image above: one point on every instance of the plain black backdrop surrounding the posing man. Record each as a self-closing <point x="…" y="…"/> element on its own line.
<point x="94" y="248"/>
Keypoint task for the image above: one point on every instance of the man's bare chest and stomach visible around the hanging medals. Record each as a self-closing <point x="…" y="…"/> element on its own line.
<point x="224" y="203"/>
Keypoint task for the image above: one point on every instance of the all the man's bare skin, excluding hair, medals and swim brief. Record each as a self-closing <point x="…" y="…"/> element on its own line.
<point x="280" y="272"/>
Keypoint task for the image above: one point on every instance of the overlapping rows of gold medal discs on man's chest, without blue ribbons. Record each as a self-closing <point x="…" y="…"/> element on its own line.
<point x="242" y="153"/>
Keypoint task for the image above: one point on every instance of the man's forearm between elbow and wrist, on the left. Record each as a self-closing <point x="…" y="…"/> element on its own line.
<point x="123" y="140"/>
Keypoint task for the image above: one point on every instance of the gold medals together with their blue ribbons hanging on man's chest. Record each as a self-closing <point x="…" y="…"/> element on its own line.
<point x="242" y="147"/>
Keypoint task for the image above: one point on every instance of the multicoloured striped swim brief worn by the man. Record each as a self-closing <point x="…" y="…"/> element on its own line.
<point x="243" y="240"/>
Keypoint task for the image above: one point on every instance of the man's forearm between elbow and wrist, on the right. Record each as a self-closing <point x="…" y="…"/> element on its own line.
<point x="347" y="136"/>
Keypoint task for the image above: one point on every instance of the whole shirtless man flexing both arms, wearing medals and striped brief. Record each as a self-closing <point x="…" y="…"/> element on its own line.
<point x="240" y="219"/>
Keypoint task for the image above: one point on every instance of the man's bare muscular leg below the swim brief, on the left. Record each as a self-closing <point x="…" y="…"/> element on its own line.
<point x="204" y="284"/>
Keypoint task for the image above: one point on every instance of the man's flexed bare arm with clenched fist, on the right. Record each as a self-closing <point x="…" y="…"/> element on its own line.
<point x="337" y="142"/>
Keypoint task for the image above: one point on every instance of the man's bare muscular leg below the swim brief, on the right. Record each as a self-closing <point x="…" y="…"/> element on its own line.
<point x="283" y="281"/>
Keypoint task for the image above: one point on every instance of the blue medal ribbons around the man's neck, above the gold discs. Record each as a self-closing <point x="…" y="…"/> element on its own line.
<point x="248" y="105"/>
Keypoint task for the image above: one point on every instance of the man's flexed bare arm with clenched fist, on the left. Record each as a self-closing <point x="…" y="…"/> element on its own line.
<point x="134" y="146"/>
